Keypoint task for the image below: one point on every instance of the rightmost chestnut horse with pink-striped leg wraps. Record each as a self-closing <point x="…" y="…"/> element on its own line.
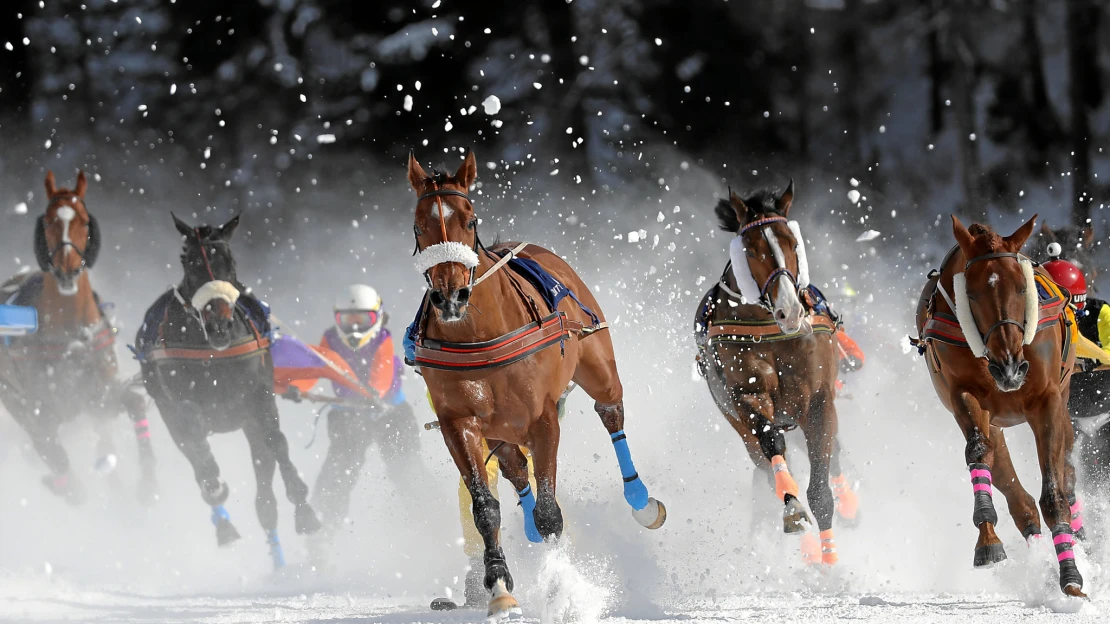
<point x="1001" y="356"/>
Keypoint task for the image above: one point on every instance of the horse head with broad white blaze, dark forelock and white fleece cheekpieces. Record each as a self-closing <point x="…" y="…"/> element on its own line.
<point x="769" y="254"/>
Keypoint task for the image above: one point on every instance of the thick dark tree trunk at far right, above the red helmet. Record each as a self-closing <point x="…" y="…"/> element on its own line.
<point x="1084" y="94"/>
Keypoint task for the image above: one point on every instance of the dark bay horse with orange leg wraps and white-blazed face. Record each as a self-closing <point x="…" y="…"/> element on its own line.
<point x="770" y="356"/>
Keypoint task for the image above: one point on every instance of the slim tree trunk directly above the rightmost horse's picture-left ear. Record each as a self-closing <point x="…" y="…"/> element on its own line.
<point x="964" y="86"/>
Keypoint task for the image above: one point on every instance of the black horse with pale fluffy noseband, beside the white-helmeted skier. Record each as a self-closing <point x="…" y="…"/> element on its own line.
<point x="206" y="360"/>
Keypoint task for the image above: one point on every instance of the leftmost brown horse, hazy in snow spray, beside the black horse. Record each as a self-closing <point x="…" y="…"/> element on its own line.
<point x="69" y="366"/>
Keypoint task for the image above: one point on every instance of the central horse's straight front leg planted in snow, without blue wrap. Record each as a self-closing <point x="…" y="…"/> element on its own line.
<point x="463" y="438"/>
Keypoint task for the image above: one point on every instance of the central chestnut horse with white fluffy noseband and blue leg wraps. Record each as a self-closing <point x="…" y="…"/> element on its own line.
<point x="499" y="373"/>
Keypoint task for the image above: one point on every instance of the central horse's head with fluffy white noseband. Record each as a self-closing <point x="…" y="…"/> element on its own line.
<point x="447" y="235"/>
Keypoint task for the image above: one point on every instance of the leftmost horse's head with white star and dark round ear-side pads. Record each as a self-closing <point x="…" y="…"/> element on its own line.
<point x="67" y="239"/>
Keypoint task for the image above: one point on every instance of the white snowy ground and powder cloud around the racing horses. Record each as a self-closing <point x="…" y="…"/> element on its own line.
<point x="722" y="556"/>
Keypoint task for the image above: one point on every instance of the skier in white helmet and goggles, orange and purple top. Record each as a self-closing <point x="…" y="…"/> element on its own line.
<point x="360" y="337"/>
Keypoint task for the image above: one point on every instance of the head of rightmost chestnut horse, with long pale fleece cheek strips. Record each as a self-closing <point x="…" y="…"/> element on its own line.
<point x="996" y="299"/>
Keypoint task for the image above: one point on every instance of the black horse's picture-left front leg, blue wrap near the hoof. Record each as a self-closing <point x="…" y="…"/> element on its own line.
<point x="184" y="422"/>
